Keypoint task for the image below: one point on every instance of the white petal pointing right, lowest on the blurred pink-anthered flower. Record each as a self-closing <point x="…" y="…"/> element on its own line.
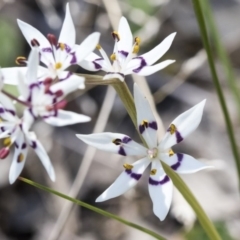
<point x="65" y="118"/>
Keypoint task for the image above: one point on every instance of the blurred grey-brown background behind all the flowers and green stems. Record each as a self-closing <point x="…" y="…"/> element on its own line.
<point x="27" y="213"/>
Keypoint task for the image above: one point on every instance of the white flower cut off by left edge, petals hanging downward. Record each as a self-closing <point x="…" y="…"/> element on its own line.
<point x="16" y="133"/>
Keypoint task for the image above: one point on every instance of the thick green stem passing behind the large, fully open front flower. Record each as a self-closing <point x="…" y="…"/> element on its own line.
<point x="207" y="225"/>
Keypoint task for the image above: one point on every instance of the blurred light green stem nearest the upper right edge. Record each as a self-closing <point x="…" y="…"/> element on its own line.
<point x="222" y="54"/>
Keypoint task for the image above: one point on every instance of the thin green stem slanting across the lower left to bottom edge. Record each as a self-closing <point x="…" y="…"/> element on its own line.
<point x="92" y="208"/>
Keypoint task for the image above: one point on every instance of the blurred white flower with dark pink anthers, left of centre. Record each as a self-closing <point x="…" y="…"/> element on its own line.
<point x="46" y="100"/>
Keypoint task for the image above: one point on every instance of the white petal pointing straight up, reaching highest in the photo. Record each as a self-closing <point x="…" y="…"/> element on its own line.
<point x="68" y="33"/>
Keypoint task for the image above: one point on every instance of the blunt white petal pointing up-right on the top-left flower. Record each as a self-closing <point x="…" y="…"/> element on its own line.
<point x="87" y="46"/>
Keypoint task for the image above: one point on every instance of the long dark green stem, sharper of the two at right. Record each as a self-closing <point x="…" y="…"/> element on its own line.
<point x="200" y="18"/>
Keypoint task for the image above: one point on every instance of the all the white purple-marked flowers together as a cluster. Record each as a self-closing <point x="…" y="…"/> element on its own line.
<point x="44" y="81"/>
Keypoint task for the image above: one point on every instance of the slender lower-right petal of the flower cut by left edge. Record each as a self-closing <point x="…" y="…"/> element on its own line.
<point x="42" y="154"/>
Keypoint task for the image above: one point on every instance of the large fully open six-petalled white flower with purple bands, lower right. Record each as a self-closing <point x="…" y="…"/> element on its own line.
<point x="160" y="185"/>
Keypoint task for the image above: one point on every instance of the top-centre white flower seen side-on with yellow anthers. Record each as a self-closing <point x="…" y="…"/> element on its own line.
<point x="124" y="56"/>
